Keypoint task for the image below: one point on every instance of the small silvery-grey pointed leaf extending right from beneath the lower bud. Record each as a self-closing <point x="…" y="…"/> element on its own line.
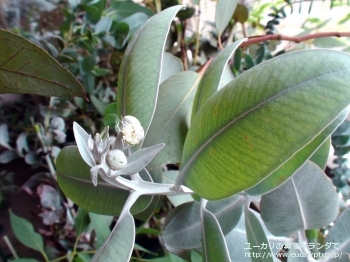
<point x="139" y="160"/>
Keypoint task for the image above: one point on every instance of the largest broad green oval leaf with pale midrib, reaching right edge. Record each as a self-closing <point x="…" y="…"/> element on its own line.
<point x="261" y="119"/>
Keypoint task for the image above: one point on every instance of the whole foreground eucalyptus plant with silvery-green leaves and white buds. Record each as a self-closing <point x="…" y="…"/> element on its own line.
<point x="263" y="137"/>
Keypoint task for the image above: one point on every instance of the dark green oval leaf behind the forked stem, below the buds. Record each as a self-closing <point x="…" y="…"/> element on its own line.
<point x="73" y="176"/>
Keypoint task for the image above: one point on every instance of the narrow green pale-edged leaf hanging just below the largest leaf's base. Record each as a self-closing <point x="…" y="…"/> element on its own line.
<point x="213" y="241"/>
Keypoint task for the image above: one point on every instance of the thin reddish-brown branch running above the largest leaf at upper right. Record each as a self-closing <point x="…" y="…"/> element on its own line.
<point x="296" y="39"/>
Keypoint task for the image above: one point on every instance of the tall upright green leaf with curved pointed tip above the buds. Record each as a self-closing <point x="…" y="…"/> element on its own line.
<point x="139" y="74"/>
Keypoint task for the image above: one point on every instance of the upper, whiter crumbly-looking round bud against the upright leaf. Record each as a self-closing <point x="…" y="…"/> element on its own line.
<point x="132" y="130"/>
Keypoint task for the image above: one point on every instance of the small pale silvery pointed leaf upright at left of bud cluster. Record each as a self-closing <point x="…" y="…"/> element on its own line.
<point x="82" y="138"/>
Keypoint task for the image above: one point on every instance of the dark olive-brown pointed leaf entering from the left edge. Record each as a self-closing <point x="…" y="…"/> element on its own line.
<point x="27" y="69"/>
